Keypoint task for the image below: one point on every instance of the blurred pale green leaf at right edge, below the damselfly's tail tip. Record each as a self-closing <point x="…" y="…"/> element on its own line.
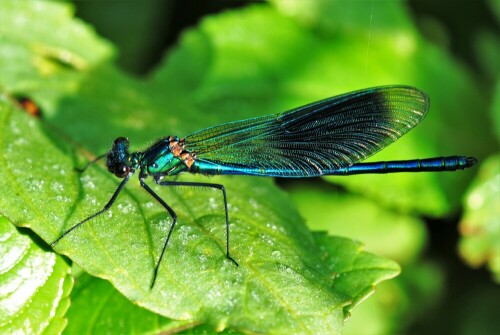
<point x="480" y="227"/>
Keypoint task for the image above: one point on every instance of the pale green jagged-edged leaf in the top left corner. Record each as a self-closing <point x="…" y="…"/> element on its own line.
<point x="44" y="50"/>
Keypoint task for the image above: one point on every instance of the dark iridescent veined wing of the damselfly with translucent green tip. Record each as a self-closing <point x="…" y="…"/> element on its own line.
<point x="317" y="138"/>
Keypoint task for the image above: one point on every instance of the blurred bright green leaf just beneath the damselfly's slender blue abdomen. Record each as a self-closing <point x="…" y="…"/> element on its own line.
<point x="384" y="232"/>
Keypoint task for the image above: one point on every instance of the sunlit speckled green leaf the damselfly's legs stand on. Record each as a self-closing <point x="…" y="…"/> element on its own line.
<point x="275" y="280"/>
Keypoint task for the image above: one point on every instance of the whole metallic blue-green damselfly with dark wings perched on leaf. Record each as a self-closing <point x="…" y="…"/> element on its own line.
<point x="328" y="137"/>
